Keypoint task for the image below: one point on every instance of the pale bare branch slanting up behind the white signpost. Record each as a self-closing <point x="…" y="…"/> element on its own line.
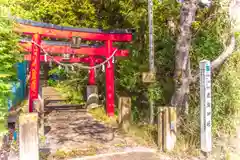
<point x="220" y="59"/>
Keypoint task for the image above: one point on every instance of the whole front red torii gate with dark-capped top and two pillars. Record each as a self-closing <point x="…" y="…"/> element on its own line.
<point x="38" y="30"/>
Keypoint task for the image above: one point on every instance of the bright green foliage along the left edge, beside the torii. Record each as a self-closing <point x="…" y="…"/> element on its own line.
<point x="9" y="55"/>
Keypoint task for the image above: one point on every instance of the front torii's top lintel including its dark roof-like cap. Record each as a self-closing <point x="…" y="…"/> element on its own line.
<point x="56" y="31"/>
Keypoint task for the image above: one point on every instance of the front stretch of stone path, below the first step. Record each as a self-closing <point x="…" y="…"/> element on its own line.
<point x="71" y="129"/>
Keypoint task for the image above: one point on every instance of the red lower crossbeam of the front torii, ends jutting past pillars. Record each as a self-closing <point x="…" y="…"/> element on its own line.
<point x="101" y="51"/>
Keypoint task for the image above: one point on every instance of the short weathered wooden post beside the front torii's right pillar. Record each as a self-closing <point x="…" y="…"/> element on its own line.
<point x="124" y="112"/>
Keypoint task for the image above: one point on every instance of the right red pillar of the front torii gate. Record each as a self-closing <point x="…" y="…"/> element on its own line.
<point x="109" y="80"/>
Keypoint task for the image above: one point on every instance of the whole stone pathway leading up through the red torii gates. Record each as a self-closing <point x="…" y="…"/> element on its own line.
<point x="72" y="132"/>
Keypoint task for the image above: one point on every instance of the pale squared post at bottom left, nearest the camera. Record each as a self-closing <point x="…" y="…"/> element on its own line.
<point x="28" y="136"/>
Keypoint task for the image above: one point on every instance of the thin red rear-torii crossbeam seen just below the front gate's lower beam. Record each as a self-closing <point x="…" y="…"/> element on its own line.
<point x="27" y="57"/>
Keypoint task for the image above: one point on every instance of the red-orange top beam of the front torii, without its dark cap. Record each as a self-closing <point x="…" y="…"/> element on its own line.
<point x="48" y="32"/>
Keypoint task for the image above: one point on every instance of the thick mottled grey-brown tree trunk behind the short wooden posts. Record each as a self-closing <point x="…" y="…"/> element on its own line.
<point x="182" y="75"/>
